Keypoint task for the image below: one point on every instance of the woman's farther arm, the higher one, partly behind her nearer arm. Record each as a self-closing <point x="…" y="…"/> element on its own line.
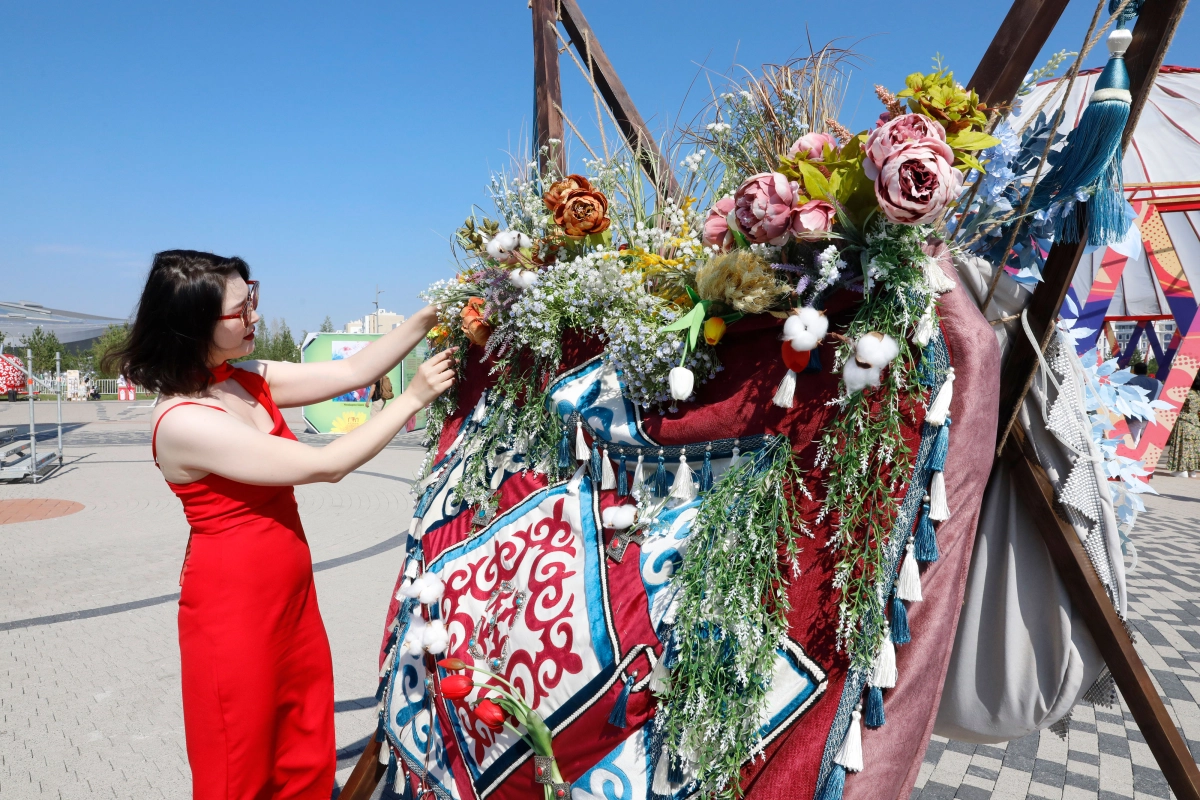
<point x="303" y="384"/>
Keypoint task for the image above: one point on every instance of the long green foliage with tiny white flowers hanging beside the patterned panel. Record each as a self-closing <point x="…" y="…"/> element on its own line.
<point x="733" y="615"/>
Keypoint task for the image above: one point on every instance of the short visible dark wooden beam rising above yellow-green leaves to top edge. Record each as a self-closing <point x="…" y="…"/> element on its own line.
<point x="1011" y="55"/>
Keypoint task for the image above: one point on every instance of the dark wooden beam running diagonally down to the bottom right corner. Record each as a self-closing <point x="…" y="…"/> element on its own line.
<point x="1089" y="598"/>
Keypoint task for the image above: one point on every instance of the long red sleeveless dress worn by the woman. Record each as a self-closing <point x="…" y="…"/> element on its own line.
<point x="257" y="672"/>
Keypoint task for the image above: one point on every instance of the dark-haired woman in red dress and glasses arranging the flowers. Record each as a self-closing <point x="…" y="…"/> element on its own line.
<point x="257" y="675"/>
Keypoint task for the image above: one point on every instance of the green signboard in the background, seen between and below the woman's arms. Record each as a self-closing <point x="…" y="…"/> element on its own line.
<point x="352" y="410"/>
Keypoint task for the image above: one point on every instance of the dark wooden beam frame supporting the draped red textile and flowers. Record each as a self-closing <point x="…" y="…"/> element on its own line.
<point x="998" y="79"/>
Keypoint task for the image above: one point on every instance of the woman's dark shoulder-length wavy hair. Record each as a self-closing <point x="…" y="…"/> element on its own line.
<point x="169" y="347"/>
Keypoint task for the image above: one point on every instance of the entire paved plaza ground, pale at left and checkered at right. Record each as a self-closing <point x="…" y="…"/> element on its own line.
<point x="89" y="663"/>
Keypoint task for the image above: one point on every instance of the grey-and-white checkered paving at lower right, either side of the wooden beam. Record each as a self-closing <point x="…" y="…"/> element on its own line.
<point x="1105" y="756"/>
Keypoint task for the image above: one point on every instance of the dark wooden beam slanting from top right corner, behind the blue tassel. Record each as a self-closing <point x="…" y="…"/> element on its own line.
<point x="1151" y="39"/>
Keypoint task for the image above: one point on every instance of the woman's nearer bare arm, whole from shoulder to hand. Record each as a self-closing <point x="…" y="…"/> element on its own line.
<point x="195" y="442"/>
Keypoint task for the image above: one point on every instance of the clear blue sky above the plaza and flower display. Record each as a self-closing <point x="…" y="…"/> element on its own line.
<point x="337" y="147"/>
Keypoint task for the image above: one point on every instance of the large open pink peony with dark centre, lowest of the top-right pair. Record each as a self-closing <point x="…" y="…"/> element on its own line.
<point x="917" y="183"/>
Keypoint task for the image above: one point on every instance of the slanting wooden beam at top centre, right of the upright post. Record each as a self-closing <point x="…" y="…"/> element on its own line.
<point x="631" y="123"/>
